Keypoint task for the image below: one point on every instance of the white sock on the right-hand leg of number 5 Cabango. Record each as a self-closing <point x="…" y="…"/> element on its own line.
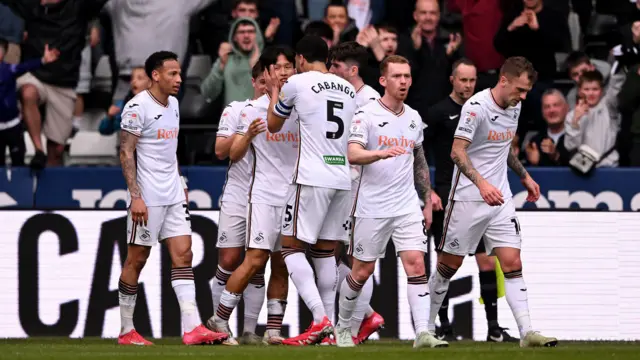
<point x="324" y="262"/>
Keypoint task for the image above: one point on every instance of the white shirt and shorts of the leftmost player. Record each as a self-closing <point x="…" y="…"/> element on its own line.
<point x="157" y="128"/>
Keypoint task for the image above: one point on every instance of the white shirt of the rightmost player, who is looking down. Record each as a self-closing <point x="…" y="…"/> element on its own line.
<point x="490" y="129"/>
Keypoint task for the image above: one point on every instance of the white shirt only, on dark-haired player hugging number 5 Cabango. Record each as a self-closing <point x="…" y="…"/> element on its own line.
<point x="274" y="155"/>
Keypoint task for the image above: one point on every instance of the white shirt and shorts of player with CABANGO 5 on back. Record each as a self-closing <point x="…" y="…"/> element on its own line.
<point x="320" y="196"/>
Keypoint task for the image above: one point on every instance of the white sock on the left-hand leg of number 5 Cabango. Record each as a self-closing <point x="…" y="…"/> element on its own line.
<point x="302" y="276"/>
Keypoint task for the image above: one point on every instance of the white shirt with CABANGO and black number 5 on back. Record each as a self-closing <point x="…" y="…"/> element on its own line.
<point x="325" y="104"/>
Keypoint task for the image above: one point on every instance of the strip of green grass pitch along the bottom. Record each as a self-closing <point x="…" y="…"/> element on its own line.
<point x="63" y="348"/>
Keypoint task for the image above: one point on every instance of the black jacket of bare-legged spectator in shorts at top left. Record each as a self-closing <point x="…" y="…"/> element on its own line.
<point x="64" y="27"/>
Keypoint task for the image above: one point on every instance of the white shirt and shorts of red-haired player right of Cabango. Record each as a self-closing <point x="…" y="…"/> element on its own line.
<point x="387" y="204"/>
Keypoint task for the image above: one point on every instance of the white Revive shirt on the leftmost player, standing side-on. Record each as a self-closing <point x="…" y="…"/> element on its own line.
<point x="157" y="127"/>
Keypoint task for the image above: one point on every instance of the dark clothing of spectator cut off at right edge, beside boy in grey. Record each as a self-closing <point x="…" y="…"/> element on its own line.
<point x="629" y="103"/>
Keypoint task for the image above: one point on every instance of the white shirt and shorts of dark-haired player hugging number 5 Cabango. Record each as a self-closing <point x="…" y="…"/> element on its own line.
<point x="273" y="159"/>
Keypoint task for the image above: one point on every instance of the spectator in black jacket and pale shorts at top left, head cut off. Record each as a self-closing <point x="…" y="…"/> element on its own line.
<point x="62" y="24"/>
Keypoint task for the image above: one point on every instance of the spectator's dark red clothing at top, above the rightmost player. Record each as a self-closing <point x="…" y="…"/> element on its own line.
<point x="480" y="22"/>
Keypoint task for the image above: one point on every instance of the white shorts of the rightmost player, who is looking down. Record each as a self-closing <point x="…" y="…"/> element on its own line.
<point x="467" y="222"/>
